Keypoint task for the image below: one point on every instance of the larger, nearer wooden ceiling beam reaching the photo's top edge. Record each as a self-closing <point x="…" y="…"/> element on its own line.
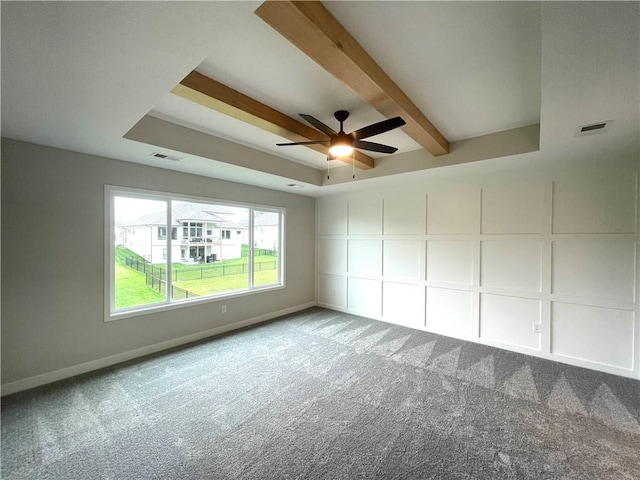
<point x="310" y="26"/>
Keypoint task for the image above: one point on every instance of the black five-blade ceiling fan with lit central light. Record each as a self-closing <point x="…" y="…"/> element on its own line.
<point x="341" y="144"/>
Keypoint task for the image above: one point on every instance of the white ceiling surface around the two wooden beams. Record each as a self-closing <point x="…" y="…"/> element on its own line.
<point x="79" y="75"/>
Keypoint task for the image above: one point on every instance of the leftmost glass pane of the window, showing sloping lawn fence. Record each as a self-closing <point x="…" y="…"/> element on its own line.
<point x="140" y="247"/>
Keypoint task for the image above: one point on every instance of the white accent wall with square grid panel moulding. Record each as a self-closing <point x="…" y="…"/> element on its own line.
<point x="543" y="263"/>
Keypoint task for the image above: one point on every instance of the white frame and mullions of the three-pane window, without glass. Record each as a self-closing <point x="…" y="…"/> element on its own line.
<point x="111" y="191"/>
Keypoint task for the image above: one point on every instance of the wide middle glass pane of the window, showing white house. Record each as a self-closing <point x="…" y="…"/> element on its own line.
<point x="204" y="260"/>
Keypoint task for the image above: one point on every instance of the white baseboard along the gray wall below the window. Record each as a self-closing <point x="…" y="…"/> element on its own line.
<point x="74" y="370"/>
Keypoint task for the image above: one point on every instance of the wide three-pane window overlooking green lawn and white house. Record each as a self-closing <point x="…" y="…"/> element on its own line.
<point x="147" y="270"/>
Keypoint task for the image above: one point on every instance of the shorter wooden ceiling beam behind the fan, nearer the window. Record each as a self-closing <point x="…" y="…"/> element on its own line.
<point x="210" y="93"/>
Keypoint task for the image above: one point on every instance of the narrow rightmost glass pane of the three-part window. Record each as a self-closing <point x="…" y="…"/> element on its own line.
<point x="266" y="248"/>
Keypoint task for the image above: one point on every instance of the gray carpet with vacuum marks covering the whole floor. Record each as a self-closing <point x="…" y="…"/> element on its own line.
<point x="325" y="395"/>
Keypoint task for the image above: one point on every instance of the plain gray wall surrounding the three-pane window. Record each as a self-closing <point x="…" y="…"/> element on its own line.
<point x="53" y="286"/>
